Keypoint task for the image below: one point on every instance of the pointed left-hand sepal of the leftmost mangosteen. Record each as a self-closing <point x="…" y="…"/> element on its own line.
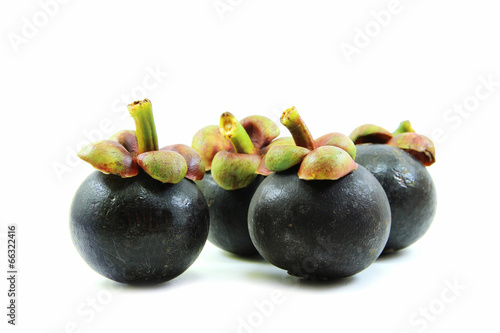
<point x="109" y="157"/>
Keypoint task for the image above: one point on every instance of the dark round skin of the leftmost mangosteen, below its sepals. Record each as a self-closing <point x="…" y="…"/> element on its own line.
<point x="138" y="230"/>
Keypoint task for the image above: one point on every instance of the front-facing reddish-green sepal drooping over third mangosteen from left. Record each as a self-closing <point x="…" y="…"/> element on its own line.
<point x="326" y="163"/>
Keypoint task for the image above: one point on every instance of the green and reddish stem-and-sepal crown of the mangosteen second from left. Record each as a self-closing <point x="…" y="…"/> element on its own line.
<point x="234" y="150"/>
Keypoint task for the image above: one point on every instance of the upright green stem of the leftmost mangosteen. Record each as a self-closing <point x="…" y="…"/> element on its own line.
<point x="145" y="129"/>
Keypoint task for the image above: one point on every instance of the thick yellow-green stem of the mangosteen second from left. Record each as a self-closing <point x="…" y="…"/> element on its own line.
<point x="232" y="130"/>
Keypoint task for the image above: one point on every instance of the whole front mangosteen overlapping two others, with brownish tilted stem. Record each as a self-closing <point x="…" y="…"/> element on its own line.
<point x="319" y="215"/>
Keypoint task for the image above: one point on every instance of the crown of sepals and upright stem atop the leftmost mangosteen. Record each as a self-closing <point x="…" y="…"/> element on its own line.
<point x="126" y="151"/>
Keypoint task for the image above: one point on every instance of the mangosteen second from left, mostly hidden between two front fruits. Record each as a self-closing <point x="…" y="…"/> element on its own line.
<point x="232" y="152"/>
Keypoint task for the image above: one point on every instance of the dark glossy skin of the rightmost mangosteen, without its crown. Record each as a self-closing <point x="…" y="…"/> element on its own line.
<point x="409" y="188"/>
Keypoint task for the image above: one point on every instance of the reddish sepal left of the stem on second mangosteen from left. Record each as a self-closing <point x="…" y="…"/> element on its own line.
<point x="208" y="141"/>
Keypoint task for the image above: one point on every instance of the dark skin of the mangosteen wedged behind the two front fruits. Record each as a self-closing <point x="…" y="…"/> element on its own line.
<point x="228" y="215"/>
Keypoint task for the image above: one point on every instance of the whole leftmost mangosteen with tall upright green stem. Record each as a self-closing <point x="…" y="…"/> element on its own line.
<point x="140" y="218"/>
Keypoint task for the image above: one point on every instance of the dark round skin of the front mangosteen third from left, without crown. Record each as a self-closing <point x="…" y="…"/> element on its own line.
<point x="320" y="229"/>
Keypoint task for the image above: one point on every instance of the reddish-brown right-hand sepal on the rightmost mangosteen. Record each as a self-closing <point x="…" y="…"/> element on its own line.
<point x="420" y="146"/>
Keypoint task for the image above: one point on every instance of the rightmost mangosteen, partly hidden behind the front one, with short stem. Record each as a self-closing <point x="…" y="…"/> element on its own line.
<point x="398" y="160"/>
